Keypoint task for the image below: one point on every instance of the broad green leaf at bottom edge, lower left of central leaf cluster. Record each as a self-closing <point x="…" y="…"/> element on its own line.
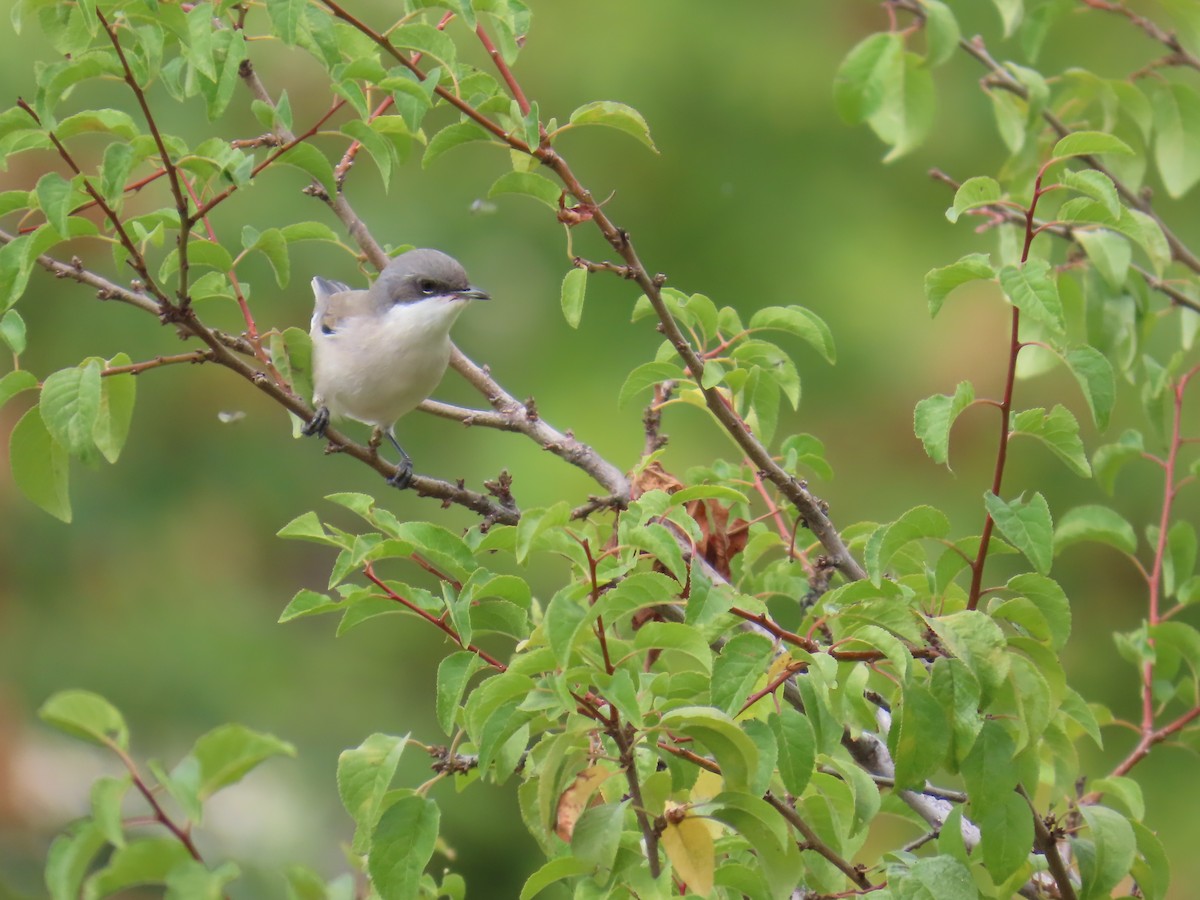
<point x="401" y="845"/>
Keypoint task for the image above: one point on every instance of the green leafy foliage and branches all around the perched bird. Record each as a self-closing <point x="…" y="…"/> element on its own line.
<point x="727" y="692"/>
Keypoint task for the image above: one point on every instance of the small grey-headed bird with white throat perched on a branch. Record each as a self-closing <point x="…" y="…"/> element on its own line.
<point x="379" y="353"/>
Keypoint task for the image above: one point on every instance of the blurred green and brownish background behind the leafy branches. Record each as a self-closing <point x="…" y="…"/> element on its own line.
<point x="164" y="593"/>
